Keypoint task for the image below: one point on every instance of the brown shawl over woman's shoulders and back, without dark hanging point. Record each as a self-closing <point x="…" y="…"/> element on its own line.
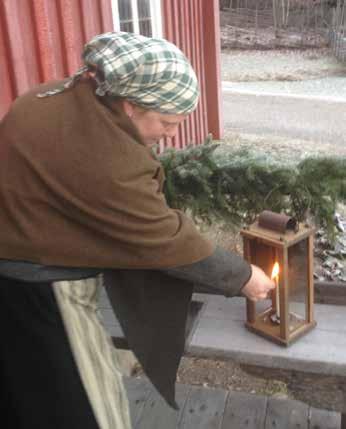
<point x="79" y="188"/>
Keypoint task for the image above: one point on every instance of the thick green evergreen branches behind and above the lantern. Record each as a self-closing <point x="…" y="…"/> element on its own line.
<point x="218" y="183"/>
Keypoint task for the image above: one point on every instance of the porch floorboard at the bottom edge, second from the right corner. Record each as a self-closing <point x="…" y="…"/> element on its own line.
<point x="286" y="414"/>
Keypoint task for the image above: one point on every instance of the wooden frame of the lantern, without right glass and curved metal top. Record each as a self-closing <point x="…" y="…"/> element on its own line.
<point x="260" y="242"/>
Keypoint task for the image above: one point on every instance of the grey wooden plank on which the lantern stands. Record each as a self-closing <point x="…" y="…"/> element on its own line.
<point x="221" y="337"/>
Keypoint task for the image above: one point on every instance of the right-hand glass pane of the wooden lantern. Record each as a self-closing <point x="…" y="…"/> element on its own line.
<point x="297" y="284"/>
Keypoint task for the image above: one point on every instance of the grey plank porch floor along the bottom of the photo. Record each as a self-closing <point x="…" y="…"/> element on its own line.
<point x="206" y="408"/>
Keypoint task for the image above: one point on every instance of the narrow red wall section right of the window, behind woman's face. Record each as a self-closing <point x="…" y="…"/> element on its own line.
<point x="194" y="26"/>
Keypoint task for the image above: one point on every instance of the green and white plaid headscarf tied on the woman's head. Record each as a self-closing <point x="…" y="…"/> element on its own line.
<point x="152" y="73"/>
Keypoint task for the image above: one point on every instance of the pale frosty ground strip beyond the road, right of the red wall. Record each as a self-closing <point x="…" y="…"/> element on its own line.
<point x="311" y="73"/>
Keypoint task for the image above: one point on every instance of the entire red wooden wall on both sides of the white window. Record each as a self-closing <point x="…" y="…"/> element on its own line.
<point x="41" y="40"/>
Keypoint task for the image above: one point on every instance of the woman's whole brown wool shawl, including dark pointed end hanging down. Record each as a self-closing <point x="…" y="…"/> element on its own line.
<point x="79" y="189"/>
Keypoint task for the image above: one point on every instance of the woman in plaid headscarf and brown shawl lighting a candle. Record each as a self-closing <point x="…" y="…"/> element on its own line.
<point x="80" y="195"/>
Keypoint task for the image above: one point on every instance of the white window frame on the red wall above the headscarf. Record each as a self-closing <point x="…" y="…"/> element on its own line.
<point x="155" y="11"/>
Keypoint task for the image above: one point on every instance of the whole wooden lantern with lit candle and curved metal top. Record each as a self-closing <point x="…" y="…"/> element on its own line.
<point x="283" y="249"/>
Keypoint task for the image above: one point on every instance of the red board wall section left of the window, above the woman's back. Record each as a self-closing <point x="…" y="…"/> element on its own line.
<point x="41" y="40"/>
